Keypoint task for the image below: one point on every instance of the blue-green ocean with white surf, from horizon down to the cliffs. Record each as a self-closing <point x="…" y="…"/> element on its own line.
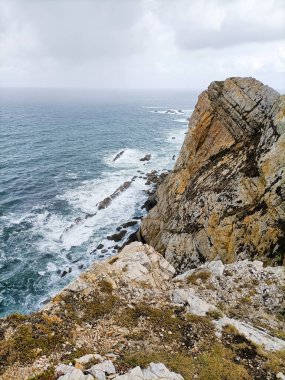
<point x="57" y="152"/>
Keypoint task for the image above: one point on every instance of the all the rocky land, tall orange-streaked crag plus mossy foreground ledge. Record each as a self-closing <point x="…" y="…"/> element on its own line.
<point x="138" y="316"/>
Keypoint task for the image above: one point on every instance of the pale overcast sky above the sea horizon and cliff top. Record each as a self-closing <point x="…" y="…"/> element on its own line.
<point x="140" y="43"/>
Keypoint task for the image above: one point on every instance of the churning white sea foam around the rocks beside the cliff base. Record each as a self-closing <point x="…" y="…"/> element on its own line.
<point x="58" y="234"/>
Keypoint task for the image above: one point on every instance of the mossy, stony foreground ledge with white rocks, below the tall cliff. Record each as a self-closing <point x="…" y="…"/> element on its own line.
<point x="213" y="322"/>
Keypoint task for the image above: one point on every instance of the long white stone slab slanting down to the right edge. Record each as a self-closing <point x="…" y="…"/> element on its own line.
<point x="253" y="334"/>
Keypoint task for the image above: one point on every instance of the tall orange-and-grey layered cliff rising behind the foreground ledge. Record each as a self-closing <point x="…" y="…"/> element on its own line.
<point x="225" y="197"/>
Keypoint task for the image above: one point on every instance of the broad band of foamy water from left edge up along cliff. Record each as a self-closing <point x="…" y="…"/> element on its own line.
<point x="59" y="253"/>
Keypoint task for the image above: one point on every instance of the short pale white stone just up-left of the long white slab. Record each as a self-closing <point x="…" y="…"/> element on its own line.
<point x="196" y="305"/>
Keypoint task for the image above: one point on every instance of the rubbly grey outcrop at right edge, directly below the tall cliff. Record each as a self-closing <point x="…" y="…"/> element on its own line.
<point x="245" y="287"/>
